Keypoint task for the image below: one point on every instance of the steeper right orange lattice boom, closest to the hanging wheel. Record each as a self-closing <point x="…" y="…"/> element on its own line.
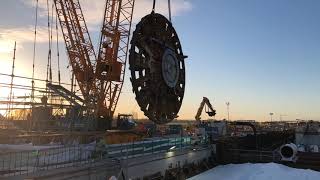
<point x="116" y="27"/>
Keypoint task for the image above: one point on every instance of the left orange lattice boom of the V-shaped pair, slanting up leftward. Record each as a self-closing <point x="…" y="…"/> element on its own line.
<point x="78" y="43"/>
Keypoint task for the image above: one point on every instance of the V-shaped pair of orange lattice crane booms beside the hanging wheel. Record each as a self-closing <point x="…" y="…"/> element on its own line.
<point x="100" y="77"/>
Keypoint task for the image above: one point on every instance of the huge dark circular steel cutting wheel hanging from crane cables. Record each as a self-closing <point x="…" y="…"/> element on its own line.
<point x="157" y="68"/>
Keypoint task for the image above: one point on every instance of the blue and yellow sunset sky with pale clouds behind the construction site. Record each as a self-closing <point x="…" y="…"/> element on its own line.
<point x="261" y="56"/>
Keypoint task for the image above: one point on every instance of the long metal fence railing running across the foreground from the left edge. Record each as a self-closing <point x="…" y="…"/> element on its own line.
<point x="31" y="161"/>
